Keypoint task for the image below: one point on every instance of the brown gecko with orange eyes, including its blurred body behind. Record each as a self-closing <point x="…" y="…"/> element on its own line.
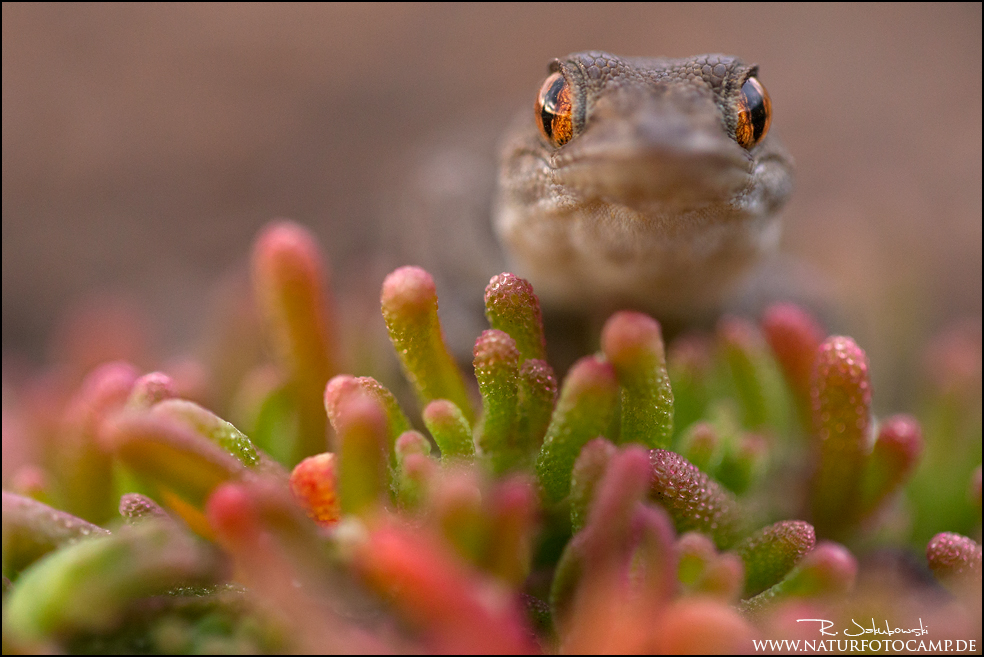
<point x="630" y="182"/>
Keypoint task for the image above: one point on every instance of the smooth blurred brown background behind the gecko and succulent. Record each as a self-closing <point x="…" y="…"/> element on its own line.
<point x="143" y="146"/>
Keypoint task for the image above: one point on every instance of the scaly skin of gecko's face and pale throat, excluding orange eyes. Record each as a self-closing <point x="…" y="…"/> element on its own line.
<point x="652" y="203"/>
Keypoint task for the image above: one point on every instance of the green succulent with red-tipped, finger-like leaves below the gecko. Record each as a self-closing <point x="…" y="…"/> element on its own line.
<point x="690" y="497"/>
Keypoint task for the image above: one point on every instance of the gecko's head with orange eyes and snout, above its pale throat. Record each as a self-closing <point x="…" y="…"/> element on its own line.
<point x="659" y="135"/>
